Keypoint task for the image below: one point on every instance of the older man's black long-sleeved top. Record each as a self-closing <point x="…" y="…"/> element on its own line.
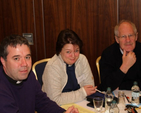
<point x="112" y="76"/>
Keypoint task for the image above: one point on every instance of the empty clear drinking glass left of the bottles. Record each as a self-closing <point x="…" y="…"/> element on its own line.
<point x="98" y="104"/>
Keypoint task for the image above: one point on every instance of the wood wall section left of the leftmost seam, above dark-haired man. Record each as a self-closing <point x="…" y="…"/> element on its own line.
<point x="16" y="17"/>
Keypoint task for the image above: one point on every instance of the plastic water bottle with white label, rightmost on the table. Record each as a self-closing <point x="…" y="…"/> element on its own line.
<point x="135" y="93"/>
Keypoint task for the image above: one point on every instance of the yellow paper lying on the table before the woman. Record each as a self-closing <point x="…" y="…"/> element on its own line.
<point x="80" y="109"/>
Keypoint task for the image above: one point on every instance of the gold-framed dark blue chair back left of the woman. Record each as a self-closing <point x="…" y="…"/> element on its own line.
<point x="38" y="69"/>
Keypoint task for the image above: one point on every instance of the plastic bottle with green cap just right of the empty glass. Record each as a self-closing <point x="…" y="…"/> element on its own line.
<point x="108" y="99"/>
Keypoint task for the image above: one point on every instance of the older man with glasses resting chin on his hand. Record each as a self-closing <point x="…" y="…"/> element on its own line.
<point x="120" y="63"/>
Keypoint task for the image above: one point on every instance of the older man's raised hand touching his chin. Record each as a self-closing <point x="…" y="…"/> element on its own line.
<point x="128" y="60"/>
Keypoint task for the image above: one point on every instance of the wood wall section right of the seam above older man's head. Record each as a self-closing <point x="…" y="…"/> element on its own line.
<point x="131" y="10"/>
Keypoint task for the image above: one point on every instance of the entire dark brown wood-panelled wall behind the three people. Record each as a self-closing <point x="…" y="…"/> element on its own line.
<point x="92" y="20"/>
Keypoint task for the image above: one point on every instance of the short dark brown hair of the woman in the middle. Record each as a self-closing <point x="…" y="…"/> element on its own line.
<point x="67" y="37"/>
